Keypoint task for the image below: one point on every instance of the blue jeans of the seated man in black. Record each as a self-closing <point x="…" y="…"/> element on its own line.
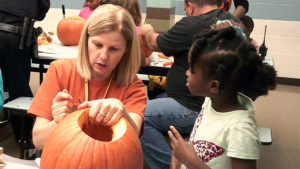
<point x="160" y="114"/>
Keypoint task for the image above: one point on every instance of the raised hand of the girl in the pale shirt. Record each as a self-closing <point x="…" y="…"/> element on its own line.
<point x="182" y="150"/>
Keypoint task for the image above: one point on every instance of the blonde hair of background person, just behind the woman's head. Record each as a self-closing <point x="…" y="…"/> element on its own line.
<point x="132" y="6"/>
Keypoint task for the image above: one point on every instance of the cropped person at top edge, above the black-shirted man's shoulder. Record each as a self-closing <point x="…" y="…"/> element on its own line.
<point x="241" y="6"/>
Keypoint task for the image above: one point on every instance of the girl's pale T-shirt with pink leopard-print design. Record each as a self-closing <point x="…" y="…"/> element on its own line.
<point x="218" y="136"/>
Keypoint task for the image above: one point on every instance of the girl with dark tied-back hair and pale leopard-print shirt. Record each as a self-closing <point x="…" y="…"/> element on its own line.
<point x="222" y="67"/>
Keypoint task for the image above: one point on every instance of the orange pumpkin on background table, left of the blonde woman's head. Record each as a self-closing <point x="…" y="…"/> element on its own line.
<point x="69" y="30"/>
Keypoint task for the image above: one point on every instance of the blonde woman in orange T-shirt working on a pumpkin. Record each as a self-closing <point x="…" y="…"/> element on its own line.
<point x="104" y="75"/>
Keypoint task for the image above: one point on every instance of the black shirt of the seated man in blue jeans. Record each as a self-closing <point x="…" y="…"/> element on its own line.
<point x="177" y="42"/>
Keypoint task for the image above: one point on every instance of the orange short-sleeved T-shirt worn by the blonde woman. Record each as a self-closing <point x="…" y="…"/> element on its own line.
<point x="63" y="74"/>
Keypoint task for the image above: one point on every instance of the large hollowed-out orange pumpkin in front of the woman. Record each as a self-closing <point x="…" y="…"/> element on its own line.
<point x="76" y="144"/>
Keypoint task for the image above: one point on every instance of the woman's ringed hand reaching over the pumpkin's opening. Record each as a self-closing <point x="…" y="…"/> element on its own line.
<point x="104" y="111"/>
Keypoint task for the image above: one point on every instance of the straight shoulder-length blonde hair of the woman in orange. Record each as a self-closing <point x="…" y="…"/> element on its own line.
<point x="108" y="18"/>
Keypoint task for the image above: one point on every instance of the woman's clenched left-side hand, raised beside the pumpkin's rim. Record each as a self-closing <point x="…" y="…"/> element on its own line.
<point x="62" y="106"/>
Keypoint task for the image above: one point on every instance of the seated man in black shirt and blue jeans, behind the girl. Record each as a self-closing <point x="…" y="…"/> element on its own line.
<point x="179" y="108"/>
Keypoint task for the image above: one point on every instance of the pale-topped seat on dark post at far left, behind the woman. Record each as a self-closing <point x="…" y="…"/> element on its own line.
<point x="19" y="107"/>
